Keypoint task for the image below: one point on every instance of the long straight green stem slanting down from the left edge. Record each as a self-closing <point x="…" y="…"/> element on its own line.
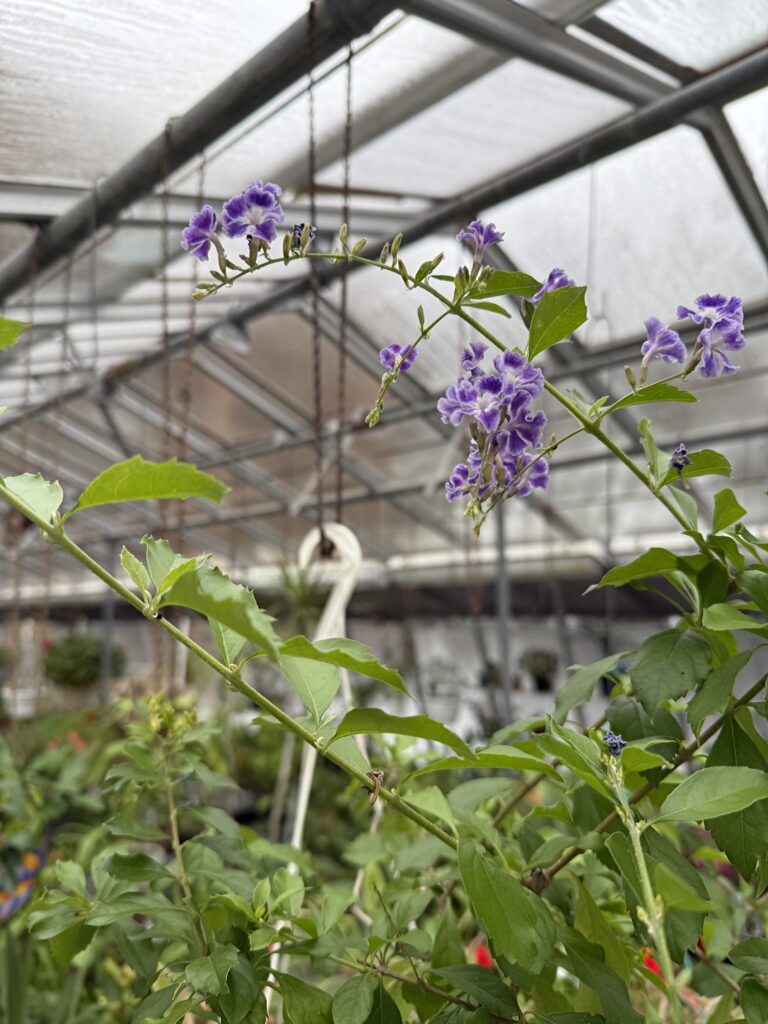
<point x="57" y="535"/>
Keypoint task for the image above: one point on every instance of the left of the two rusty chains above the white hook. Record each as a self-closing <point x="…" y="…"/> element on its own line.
<point x="315" y="280"/>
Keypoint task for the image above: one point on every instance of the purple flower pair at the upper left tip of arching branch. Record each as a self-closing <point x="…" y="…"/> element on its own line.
<point x="255" y="212"/>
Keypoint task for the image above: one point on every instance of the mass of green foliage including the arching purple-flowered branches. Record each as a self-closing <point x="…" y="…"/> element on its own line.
<point x="553" y="874"/>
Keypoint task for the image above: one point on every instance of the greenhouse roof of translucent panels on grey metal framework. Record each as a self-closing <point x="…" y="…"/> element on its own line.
<point x="626" y="142"/>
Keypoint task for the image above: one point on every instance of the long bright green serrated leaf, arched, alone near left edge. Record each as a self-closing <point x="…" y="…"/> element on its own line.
<point x="136" y="480"/>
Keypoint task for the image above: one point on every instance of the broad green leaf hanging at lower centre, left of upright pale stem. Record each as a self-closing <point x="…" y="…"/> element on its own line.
<point x="518" y="922"/>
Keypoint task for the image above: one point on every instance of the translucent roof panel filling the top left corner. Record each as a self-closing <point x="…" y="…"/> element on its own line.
<point x="120" y="70"/>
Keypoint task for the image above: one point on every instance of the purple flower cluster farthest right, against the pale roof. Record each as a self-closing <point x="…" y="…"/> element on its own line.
<point x="722" y="324"/>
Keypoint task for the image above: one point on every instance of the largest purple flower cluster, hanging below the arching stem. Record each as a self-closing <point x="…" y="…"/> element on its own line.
<point x="504" y="428"/>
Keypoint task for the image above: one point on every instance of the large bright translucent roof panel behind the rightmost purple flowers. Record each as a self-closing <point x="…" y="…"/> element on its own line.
<point x="648" y="230"/>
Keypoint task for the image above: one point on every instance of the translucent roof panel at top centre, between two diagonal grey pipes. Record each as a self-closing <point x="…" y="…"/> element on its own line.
<point x="510" y="116"/>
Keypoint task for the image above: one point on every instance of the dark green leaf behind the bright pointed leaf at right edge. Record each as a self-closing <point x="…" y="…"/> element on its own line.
<point x="741" y="836"/>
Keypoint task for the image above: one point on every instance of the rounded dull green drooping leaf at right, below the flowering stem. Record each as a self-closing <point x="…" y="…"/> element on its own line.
<point x="669" y="665"/>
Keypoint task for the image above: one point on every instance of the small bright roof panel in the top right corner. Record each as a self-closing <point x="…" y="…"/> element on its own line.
<point x="701" y="34"/>
